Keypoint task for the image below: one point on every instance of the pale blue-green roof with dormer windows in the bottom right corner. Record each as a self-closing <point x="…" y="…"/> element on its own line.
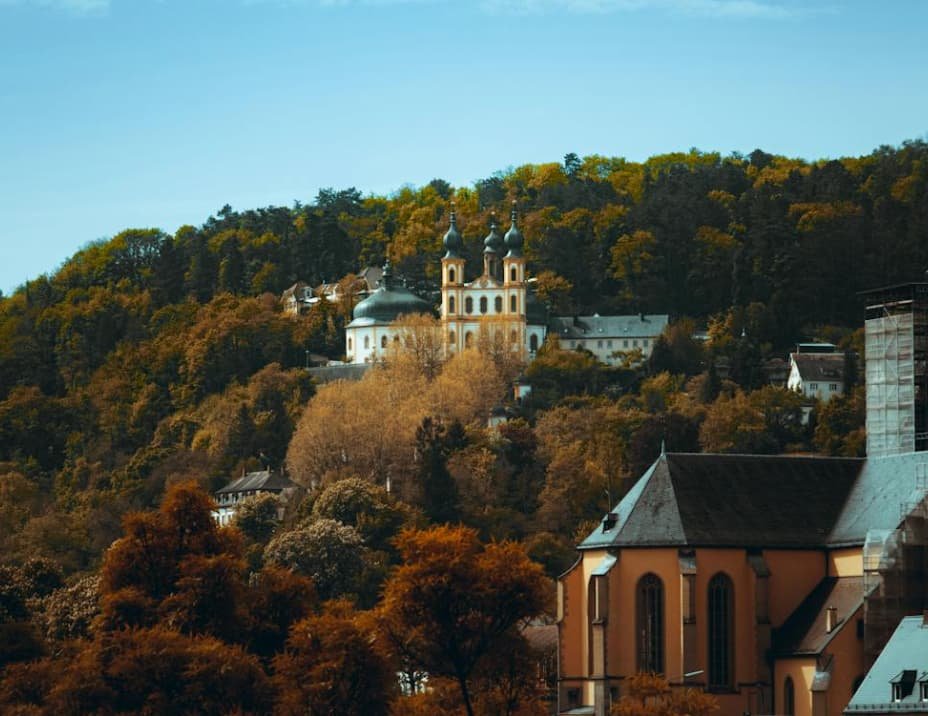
<point x="906" y="650"/>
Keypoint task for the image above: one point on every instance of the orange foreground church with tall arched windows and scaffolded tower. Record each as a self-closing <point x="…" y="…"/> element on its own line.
<point x="771" y="581"/>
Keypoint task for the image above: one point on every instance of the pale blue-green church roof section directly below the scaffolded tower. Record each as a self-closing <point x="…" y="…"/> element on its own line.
<point x="876" y="501"/>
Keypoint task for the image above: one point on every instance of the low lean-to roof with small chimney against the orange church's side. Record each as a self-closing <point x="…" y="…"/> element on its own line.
<point x="804" y="634"/>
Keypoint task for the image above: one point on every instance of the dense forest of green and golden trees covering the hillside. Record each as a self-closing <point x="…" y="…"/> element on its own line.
<point x="149" y="361"/>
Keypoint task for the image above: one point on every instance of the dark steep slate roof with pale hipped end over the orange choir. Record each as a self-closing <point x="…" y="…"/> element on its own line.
<point x="733" y="501"/>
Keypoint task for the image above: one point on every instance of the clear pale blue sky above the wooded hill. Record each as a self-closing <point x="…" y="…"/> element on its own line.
<point x="155" y="113"/>
